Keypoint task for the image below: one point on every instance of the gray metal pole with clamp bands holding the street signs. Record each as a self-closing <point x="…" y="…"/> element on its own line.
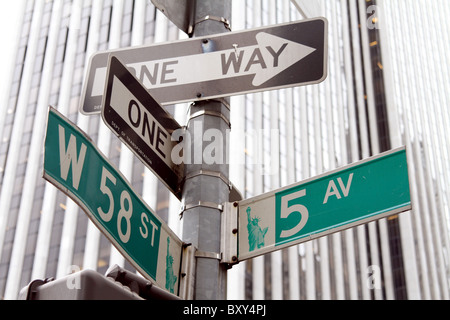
<point x="205" y="188"/>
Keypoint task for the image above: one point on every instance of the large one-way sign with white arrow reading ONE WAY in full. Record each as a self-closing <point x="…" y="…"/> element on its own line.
<point x="275" y="57"/>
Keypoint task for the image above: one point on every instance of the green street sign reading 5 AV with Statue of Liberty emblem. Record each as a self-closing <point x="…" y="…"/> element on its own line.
<point x="356" y="194"/>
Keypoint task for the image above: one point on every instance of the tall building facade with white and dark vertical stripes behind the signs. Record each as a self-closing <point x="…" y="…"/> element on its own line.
<point x="386" y="88"/>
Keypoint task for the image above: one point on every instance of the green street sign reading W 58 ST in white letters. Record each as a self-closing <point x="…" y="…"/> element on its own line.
<point x="75" y="165"/>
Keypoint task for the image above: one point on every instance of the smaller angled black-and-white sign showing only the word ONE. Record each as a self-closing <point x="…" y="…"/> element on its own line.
<point x="141" y="123"/>
